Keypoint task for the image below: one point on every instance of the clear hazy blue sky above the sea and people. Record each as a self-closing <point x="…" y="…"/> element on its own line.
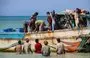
<point x="28" y="7"/>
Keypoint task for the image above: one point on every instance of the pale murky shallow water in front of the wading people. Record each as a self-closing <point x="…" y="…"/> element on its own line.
<point x="53" y="55"/>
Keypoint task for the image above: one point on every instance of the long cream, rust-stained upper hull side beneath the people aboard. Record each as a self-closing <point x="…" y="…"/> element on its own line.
<point x="58" y="34"/>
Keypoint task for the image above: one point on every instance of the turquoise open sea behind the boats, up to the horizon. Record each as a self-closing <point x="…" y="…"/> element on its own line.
<point x="15" y="21"/>
